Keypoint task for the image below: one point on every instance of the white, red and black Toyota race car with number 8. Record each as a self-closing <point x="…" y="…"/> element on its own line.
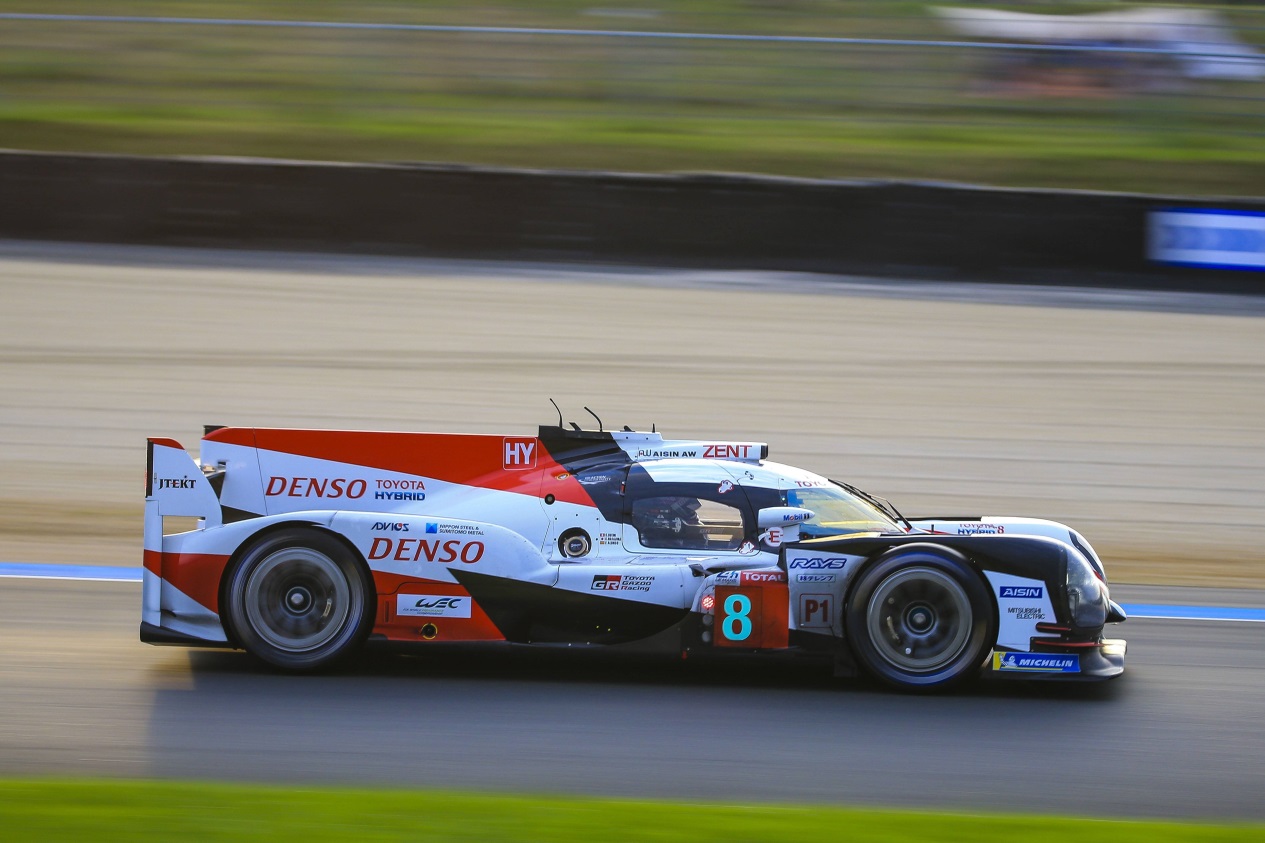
<point x="312" y="544"/>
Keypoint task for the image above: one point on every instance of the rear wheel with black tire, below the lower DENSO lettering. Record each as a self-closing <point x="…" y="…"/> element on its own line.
<point x="299" y="599"/>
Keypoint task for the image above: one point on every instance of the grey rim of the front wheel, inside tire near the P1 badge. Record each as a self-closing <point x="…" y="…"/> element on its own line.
<point x="919" y="620"/>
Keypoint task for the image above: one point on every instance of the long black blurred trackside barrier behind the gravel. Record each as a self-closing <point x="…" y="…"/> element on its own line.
<point x="736" y="222"/>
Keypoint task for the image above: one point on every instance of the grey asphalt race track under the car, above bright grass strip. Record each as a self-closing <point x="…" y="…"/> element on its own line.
<point x="1178" y="736"/>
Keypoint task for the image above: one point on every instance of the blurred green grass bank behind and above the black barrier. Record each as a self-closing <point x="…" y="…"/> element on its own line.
<point x="614" y="104"/>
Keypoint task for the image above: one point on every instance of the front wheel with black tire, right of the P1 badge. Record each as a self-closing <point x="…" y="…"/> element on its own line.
<point x="922" y="620"/>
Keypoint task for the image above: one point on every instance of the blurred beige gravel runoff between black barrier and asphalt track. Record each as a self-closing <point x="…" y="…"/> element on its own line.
<point x="1137" y="418"/>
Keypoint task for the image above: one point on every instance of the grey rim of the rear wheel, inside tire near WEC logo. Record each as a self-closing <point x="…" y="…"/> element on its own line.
<point x="298" y="599"/>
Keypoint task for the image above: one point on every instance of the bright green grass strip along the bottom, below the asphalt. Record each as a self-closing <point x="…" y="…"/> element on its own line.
<point x="126" y="811"/>
